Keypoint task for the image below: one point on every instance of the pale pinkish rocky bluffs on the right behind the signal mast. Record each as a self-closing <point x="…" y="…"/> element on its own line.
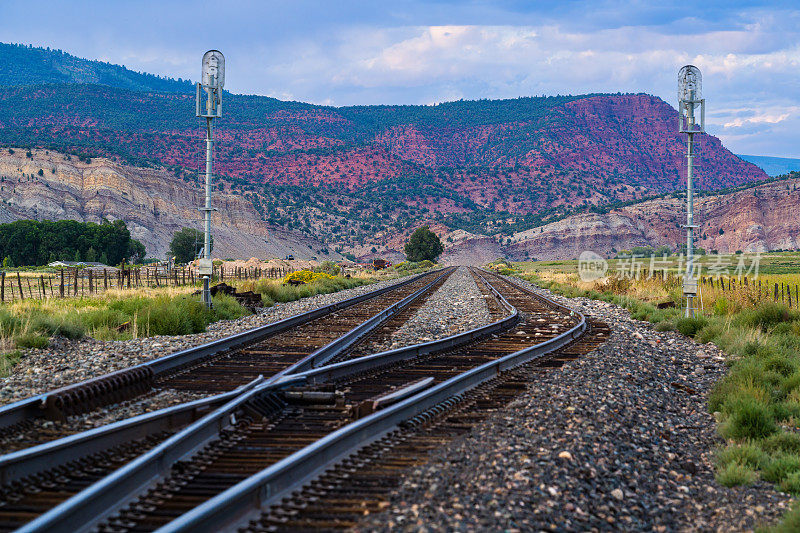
<point x="760" y="218"/>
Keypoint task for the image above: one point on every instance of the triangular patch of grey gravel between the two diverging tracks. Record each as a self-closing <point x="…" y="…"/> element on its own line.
<point x="457" y="306"/>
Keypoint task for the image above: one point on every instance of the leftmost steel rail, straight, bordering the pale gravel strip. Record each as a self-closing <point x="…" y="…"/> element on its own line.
<point x="34" y="407"/>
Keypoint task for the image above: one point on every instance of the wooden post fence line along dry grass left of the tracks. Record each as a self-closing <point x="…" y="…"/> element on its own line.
<point x="73" y="282"/>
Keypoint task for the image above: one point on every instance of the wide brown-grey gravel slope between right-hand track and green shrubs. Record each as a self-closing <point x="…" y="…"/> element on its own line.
<point x="620" y="439"/>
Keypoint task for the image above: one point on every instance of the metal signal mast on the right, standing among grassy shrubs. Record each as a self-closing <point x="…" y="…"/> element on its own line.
<point x="690" y="97"/>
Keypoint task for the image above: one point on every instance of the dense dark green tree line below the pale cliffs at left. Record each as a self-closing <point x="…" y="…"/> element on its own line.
<point x="32" y="242"/>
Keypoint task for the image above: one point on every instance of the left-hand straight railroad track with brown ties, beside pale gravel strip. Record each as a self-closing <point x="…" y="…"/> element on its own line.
<point x="216" y="367"/>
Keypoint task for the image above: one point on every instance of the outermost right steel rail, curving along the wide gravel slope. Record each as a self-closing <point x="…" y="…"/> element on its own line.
<point x="244" y="500"/>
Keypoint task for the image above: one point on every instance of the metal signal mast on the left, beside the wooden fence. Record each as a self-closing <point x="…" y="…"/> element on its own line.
<point x="209" y="105"/>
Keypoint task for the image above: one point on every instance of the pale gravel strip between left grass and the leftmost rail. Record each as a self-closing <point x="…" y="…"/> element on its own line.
<point x="65" y="362"/>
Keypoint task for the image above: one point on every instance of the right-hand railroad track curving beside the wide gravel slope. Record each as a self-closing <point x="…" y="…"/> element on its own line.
<point x="274" y="424"/>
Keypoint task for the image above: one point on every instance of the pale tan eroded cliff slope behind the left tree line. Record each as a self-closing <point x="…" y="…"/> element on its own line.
<point x="43" y="184"/>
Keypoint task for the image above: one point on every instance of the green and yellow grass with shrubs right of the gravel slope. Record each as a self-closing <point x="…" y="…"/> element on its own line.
<point x="757" y="404"/>
